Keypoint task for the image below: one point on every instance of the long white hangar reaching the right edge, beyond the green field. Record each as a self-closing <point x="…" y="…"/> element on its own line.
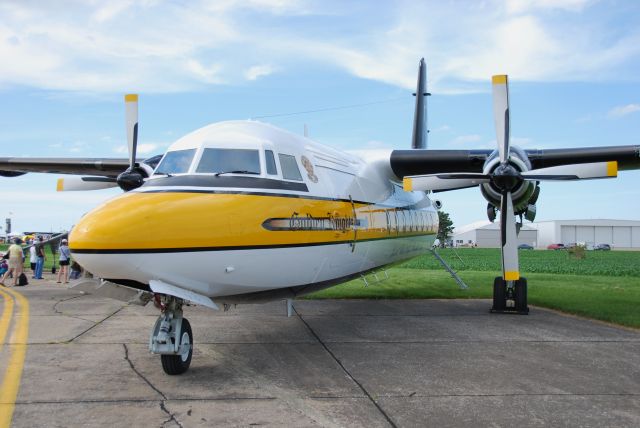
<point x="620" y="234"/>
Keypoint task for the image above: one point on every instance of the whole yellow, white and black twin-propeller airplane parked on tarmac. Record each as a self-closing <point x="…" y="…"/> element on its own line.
<point x="265" y="214"/>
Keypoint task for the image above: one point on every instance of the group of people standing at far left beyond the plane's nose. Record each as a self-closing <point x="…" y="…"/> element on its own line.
<point x="12" y="262"/>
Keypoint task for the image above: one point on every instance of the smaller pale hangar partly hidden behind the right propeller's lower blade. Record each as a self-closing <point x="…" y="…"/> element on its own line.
<point x="487" y="235"/>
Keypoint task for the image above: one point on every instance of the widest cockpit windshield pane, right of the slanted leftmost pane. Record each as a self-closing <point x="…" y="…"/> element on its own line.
<point x="240" y="161"/>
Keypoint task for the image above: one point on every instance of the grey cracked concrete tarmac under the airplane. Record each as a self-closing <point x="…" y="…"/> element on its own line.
<point x="369" y="363"/>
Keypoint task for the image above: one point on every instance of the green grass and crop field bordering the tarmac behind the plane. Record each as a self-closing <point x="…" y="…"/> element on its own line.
<point x="604" y="285"/>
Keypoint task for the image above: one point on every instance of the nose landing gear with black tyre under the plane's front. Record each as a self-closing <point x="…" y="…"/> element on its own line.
<point x="171" y="336"/>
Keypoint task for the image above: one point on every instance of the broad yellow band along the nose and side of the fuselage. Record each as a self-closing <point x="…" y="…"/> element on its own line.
<point x="201" y="220"/>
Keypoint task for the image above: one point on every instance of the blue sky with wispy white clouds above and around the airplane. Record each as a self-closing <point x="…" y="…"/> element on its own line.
<point x="573" y="66"/>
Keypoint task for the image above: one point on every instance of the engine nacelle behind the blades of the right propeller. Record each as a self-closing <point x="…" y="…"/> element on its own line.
<point x="523" y="194"/>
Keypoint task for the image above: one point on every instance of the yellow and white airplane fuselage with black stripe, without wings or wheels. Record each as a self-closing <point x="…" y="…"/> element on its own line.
<point x="243" y="209"/>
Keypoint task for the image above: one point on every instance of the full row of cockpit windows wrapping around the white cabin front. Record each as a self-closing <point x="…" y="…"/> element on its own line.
<point x="239" y="161"/>
